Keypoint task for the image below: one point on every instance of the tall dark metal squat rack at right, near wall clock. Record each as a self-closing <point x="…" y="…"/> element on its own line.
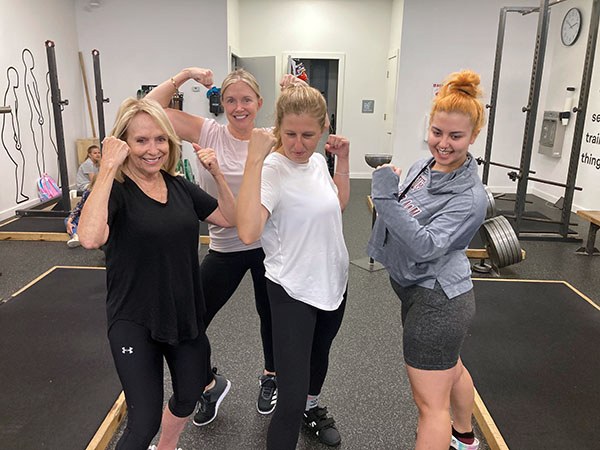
<point x="523" y="174"/>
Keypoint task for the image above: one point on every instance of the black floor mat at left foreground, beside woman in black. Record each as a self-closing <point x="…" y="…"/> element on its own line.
<point x="58" y="381"/>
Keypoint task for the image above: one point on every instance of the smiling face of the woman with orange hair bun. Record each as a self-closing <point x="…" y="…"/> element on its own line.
<point x="450" y="135"/>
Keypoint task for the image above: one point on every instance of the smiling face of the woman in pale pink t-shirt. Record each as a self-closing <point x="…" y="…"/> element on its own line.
<point x="241" y="104"/>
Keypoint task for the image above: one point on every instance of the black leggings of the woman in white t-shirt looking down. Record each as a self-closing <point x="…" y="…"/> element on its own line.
<point x="302" y="337"/>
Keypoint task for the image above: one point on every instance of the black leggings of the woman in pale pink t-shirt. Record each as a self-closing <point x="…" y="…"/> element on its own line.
<point x="221" y="274"/>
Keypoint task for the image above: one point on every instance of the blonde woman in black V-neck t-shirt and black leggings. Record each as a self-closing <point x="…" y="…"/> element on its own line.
<point x="148" y="220"/>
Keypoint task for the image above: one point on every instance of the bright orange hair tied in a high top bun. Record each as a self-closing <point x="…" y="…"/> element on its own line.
<point x="460" y="92"/>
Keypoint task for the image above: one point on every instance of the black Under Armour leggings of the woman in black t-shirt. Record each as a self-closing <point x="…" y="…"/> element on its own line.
<point x="139" y="362"/>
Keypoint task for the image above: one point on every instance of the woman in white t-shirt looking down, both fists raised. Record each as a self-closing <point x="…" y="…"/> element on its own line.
<point x="289" y="201"/>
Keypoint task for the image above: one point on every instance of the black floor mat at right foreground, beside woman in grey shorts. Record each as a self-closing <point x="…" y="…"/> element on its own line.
<point x="532" y="351"/>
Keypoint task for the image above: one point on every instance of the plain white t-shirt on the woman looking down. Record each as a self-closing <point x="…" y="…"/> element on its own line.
<point x="304" y="245"/>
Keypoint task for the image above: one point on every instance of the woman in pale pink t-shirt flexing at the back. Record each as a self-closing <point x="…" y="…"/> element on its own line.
<point x="228" y="258"/>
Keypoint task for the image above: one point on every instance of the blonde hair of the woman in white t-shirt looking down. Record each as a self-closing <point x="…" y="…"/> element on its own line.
<point x="299" y="99"/>
